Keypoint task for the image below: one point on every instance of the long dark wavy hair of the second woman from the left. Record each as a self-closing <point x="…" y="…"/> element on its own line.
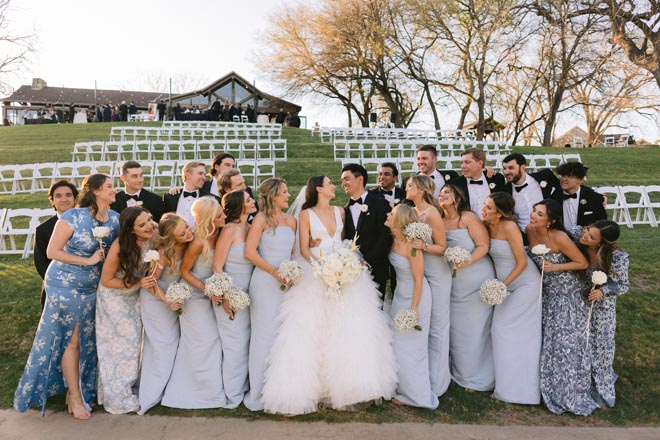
<point x="130" y="253"/>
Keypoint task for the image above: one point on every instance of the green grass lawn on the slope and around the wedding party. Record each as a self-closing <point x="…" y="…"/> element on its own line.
<point x="638" y="341"/>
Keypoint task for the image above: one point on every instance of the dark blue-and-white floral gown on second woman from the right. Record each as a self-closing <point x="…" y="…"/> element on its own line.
<point x="565" y="360"/>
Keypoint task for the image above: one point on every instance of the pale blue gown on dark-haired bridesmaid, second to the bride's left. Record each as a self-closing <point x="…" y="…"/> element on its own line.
<point x="235" y="335"/>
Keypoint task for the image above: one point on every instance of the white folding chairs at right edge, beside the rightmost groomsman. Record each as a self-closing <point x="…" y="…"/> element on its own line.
<point x="633" y="205"/>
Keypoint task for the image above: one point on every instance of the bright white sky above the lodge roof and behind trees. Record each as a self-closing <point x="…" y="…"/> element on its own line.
<point x="119" y="42"/>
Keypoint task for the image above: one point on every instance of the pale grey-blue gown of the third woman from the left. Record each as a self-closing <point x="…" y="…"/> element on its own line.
<point x="161" y="341"/>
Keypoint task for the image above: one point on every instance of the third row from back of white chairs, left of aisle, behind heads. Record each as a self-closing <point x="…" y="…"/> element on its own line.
<point x="158" y="174"/>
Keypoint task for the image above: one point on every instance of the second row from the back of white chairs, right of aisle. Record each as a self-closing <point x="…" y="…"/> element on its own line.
<point x="402" y="149"/>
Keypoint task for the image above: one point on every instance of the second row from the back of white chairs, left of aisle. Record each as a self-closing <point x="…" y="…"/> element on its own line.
<point x="275" y="149"/>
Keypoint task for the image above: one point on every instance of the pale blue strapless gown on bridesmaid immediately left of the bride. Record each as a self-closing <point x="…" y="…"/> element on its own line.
<point x="266" y="297"/>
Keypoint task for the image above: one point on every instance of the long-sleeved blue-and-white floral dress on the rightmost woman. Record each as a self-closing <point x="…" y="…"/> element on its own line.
<point x="603" y="329"/>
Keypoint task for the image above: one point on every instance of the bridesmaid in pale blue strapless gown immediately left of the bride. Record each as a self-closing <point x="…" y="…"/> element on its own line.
<point x="270" y="241"/>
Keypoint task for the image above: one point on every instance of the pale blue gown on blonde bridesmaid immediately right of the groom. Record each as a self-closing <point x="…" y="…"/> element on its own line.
<point x="412" y="348"/>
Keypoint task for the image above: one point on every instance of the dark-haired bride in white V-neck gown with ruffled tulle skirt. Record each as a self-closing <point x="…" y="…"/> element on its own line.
<point x="332" y="351"/>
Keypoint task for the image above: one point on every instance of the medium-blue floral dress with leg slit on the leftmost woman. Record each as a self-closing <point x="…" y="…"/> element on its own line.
<point x="70" y="298"/>
